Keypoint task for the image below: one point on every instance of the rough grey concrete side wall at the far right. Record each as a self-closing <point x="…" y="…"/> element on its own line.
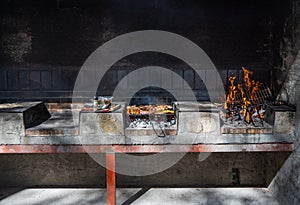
<point x="286" y="184"/>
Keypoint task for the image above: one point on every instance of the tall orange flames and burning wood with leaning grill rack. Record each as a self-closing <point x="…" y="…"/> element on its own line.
<point x="246" y="101"/>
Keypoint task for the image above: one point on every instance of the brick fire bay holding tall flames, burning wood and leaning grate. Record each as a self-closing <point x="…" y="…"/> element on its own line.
<point x="247" y="106"/>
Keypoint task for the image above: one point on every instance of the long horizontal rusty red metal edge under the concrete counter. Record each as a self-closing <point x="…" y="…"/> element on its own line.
<point x="49" y="149"/>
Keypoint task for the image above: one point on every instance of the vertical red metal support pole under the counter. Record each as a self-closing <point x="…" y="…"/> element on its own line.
<point x="110" y="179"/>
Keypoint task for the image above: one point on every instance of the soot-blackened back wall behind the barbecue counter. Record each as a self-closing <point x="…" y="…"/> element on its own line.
<point x="43" y="44"/>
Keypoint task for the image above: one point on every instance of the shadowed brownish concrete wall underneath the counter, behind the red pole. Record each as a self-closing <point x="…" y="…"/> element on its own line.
<point x="80" y="170"/>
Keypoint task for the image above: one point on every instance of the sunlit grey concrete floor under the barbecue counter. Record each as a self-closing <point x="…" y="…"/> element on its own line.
<point x="145" y="196"/>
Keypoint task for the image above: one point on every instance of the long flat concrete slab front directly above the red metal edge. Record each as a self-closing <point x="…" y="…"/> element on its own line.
<point x="223" y="139"/>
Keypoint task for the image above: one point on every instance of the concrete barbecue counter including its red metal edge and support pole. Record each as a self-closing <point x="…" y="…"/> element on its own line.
<point x="60" y="134"/>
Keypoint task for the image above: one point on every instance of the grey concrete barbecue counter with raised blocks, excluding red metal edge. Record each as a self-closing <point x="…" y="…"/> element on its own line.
<point x="198" y="123"/>
